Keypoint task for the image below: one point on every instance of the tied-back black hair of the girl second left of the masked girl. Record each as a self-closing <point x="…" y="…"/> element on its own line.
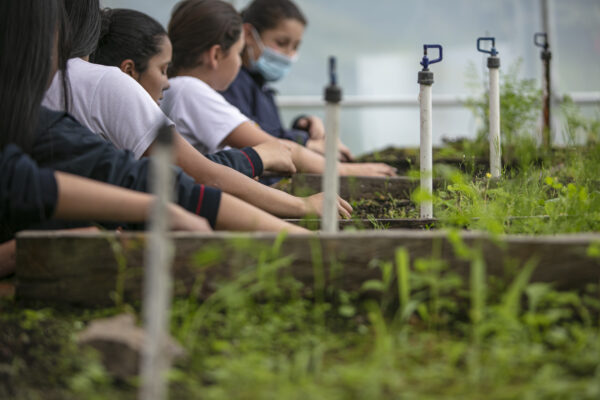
<point x="128" y="34"/>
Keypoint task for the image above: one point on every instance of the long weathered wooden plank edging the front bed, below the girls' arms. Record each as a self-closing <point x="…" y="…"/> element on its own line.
<point x="82" y="269"/>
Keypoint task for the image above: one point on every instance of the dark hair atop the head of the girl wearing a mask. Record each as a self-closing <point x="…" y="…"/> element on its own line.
<point x="268" y="14"/>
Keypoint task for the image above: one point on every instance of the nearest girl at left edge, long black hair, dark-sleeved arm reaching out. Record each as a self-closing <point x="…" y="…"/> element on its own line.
<point x="29" y="194"/>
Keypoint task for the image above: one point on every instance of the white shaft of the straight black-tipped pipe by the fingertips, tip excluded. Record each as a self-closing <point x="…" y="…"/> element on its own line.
<point x="331" y="180"/>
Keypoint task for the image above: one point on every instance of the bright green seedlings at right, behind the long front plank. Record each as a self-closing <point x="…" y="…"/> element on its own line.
<point x="565" y="198"/>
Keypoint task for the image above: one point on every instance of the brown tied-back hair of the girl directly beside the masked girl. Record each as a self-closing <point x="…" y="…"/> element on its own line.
<point x="197" y="25"/>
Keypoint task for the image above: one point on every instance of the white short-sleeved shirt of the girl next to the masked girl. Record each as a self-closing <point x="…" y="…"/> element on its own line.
<point x="201" y="114"/>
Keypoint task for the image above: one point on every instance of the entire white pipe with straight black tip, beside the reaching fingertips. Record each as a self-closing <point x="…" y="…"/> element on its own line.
<point x="331" y="179"/>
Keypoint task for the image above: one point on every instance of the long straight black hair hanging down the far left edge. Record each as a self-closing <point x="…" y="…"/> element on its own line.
<point x="28" y="31"/>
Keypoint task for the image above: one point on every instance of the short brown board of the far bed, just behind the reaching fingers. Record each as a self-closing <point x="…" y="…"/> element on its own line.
<point x="360" y="187"/>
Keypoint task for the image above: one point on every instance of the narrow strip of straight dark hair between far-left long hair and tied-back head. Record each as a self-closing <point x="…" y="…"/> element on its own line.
<point x="84" y="23"/>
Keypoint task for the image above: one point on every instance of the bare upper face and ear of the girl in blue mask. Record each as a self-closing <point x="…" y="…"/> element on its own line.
<point x="285" y="38"/>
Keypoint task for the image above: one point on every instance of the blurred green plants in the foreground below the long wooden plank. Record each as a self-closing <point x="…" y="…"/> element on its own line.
<point x="420" y="331"/>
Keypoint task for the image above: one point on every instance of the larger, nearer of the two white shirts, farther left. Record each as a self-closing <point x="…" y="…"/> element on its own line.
<point x="110" y="103"/>
